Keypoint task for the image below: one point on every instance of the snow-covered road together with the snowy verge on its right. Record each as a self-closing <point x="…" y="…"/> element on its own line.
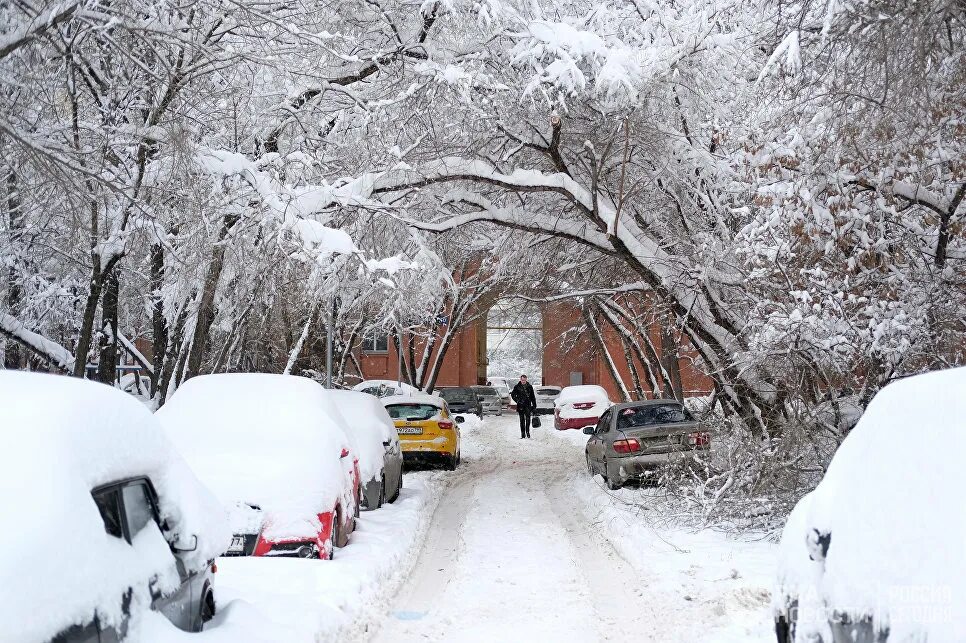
<point x="525" y="546"/>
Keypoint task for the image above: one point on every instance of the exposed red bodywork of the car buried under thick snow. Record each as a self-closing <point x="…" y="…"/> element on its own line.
<point x="322" y="544"/>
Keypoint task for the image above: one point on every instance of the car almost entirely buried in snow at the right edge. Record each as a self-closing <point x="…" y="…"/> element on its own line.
<point x="877" y="551"/>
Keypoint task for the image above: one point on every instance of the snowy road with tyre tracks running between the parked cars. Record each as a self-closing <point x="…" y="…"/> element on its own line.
<point x="509" y="556"/>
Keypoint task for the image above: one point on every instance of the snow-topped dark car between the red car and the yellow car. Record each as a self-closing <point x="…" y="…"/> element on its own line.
<point x="374" y="438"/>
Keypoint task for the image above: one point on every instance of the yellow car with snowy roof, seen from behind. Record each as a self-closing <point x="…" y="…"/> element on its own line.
<point x="427" y="430"/>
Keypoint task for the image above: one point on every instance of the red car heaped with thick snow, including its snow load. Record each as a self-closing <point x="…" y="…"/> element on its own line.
<point x="273" y="449"/>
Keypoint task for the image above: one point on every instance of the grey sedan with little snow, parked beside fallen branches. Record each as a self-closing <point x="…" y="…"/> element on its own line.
<point x="634" y="438"/>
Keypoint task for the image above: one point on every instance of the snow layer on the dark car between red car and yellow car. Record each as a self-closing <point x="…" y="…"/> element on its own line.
<point x="368" y="427"/>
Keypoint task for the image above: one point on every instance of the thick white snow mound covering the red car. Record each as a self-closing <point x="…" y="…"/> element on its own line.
<point x="270" y="440"/>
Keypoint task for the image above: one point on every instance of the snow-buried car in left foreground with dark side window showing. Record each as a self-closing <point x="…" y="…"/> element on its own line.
<point x="102" y="519"/>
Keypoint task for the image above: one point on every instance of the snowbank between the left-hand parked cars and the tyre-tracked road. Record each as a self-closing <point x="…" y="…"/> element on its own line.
<point x="305" y="601"/>
